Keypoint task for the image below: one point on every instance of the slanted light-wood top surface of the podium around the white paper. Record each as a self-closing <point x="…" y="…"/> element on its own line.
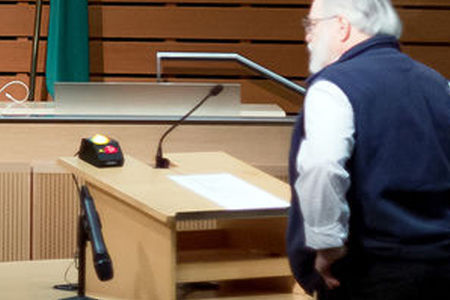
<point x="153" y="192"/>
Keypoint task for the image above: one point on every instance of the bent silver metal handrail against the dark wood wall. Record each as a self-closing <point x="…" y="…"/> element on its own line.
<point x="226" y="56"/>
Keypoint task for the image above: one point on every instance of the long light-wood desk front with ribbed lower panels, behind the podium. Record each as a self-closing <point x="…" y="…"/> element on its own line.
<point x="36" y="142"/>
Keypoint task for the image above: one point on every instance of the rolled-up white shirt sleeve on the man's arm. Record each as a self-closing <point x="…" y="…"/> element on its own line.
<point x="323" y="181"/>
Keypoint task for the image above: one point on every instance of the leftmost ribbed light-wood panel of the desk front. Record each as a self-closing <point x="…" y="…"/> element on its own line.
<point x="15" y="213"/>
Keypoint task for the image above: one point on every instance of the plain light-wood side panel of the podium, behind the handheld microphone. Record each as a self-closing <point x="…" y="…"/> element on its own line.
<point x="142" y="248"/>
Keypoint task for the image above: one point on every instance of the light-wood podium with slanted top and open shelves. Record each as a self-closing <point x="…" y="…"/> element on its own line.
<point x="168" y="242"/>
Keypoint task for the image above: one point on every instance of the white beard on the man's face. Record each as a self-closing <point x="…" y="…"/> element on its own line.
<point x="320" y="53"/>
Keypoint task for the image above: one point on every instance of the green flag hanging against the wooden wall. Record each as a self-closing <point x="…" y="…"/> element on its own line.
<point x="68" y="42"/>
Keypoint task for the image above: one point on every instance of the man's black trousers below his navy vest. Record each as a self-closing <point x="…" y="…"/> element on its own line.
<point x="390" y="280"/>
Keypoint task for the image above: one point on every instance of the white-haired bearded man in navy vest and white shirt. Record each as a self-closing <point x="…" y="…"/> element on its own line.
<point x="369" y="162"/>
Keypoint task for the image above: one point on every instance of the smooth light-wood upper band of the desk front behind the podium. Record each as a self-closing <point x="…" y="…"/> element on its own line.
<point x="24" y="142"/>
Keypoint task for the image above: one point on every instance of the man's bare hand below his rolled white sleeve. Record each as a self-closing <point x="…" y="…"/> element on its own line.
<point x="324" y="259"/>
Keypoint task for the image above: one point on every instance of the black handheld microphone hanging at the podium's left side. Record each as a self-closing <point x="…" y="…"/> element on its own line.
<point x="102" y="261"/>
